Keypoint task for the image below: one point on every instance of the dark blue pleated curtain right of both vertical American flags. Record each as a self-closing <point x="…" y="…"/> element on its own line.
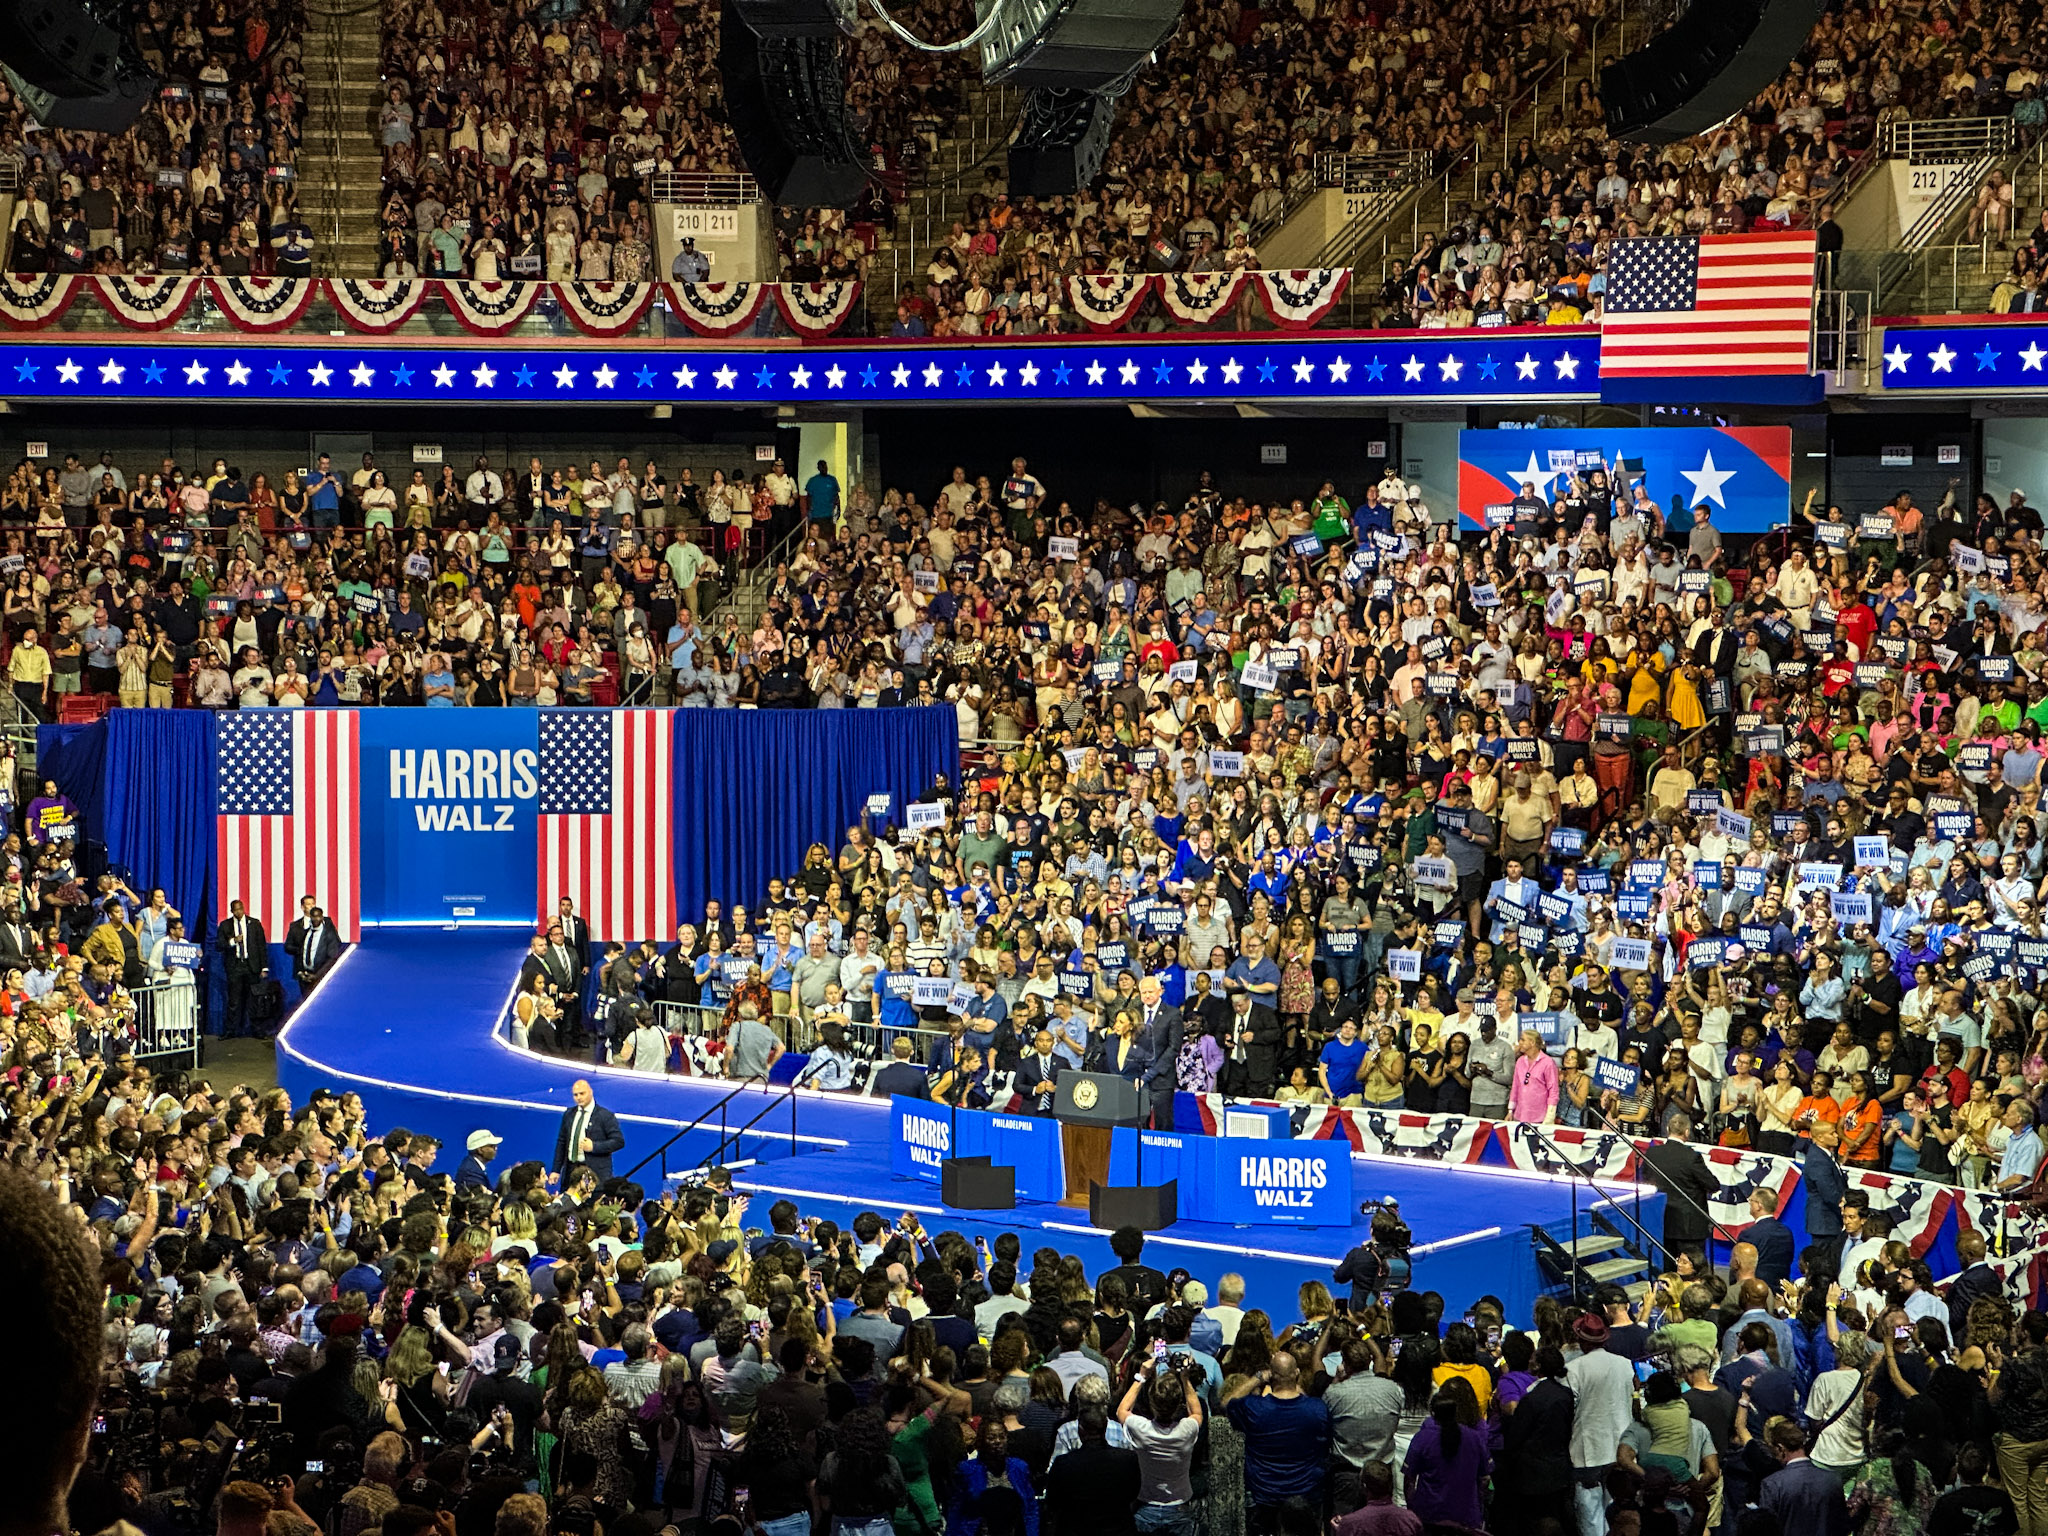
<point x="755" y="787"/>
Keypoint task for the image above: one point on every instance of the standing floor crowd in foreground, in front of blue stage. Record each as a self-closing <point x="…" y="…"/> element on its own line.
<point x="269" y="1318"/>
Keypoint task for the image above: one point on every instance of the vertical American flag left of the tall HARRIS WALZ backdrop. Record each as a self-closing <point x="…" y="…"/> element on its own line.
<point x="288" y="816"/>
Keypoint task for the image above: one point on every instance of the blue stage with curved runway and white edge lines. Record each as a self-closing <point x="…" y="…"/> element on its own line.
<point x="411" y="1019"/>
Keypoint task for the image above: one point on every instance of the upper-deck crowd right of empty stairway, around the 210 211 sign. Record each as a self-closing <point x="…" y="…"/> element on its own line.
<point x="521" y="142"/>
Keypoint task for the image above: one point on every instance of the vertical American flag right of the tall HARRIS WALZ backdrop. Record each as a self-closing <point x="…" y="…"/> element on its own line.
<point x="607" y="800"/>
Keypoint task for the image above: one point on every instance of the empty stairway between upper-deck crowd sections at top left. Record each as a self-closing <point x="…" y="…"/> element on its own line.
<point x="339" y="163"/>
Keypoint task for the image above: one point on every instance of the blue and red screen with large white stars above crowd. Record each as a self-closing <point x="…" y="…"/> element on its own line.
<point x="1742" y="474"/>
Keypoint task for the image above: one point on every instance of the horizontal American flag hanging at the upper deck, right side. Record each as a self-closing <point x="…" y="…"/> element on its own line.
<point x="1709" y="306"/>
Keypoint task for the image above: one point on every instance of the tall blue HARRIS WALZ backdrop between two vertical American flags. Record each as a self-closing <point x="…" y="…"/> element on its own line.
<point x="450" y="804"/>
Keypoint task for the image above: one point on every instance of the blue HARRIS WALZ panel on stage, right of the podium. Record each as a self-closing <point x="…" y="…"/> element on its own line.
<point x="1242" y="1181"/>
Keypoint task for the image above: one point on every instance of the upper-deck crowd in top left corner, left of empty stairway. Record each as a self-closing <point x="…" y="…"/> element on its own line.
<point x="206" y="179"/>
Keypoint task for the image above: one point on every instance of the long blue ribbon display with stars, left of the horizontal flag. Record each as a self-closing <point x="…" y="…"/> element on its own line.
<point x="1474" y="366"/>
